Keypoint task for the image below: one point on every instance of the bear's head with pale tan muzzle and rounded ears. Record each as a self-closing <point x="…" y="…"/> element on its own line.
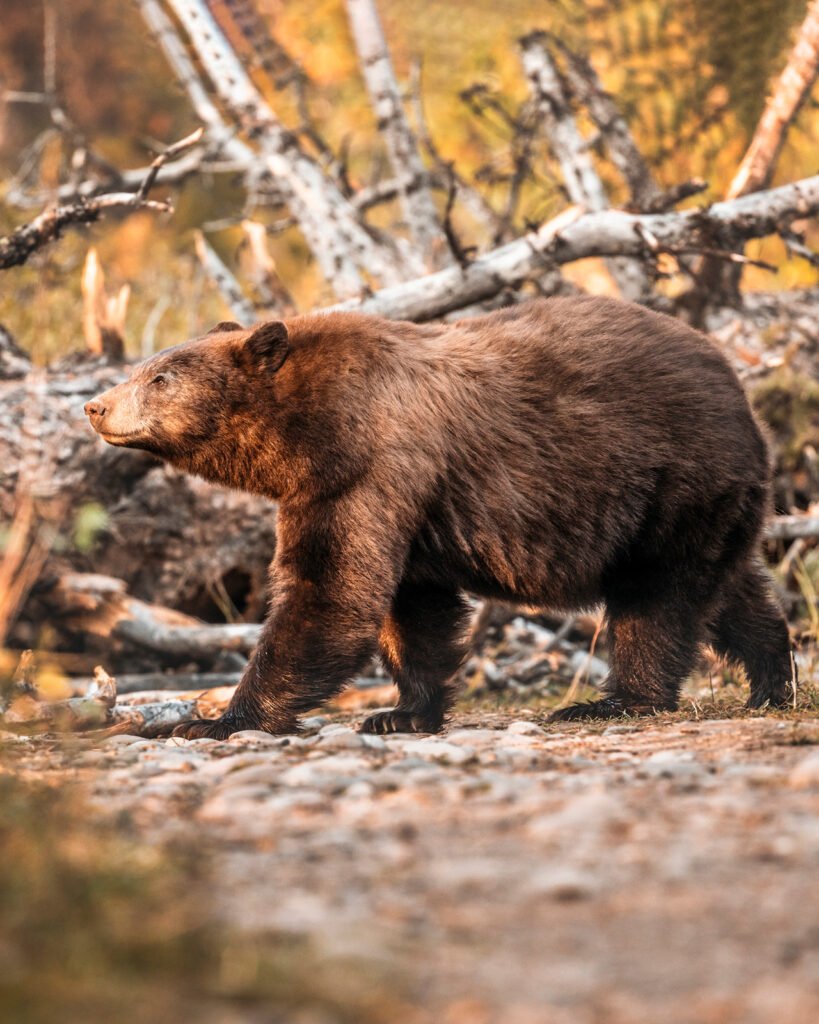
<point x="191" y="404"/>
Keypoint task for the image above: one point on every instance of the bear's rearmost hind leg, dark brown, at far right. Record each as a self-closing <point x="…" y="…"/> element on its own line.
<point x="751" y="630"/>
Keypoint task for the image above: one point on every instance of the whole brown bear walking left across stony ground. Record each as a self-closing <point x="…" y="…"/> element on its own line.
<point x="559" y="454"/>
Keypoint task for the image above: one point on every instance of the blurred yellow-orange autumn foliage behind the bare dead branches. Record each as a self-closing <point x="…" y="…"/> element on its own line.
<point x="679" y="80"/>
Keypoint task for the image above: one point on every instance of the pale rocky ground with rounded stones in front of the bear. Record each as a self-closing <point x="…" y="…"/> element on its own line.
<point x="508" y="872"/>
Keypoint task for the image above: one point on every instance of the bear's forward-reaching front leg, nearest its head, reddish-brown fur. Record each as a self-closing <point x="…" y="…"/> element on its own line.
<point x="331" y="593"/>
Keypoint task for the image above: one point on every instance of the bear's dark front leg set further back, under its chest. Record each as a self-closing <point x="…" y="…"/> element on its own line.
<point x="423" y="644"/>
